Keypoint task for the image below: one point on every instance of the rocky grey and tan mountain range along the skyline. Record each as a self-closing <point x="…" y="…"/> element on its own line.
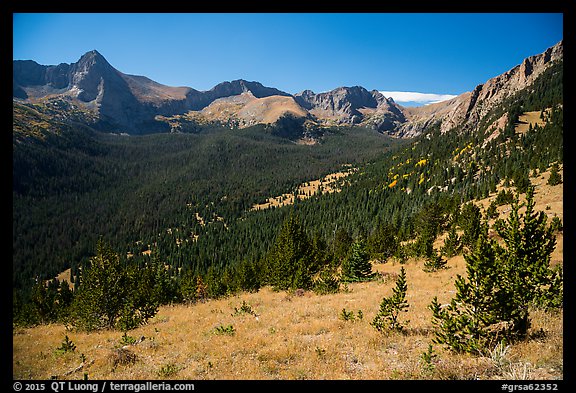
<point x="138" y="105"/>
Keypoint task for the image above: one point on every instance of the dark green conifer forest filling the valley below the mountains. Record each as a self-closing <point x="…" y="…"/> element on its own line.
<point x="171" y="213"/>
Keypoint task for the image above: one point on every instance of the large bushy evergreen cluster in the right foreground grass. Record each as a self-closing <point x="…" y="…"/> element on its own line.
<point x="492" y="302"/>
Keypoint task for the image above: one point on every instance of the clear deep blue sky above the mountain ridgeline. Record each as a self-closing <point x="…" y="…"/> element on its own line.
<point x="429" y="53"/>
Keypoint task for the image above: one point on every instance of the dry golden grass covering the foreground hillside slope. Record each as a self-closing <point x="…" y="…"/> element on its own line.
<point x="300" y="335"/>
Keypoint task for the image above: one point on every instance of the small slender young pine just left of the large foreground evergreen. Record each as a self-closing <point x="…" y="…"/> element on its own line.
<point x="388" y="315"/>
